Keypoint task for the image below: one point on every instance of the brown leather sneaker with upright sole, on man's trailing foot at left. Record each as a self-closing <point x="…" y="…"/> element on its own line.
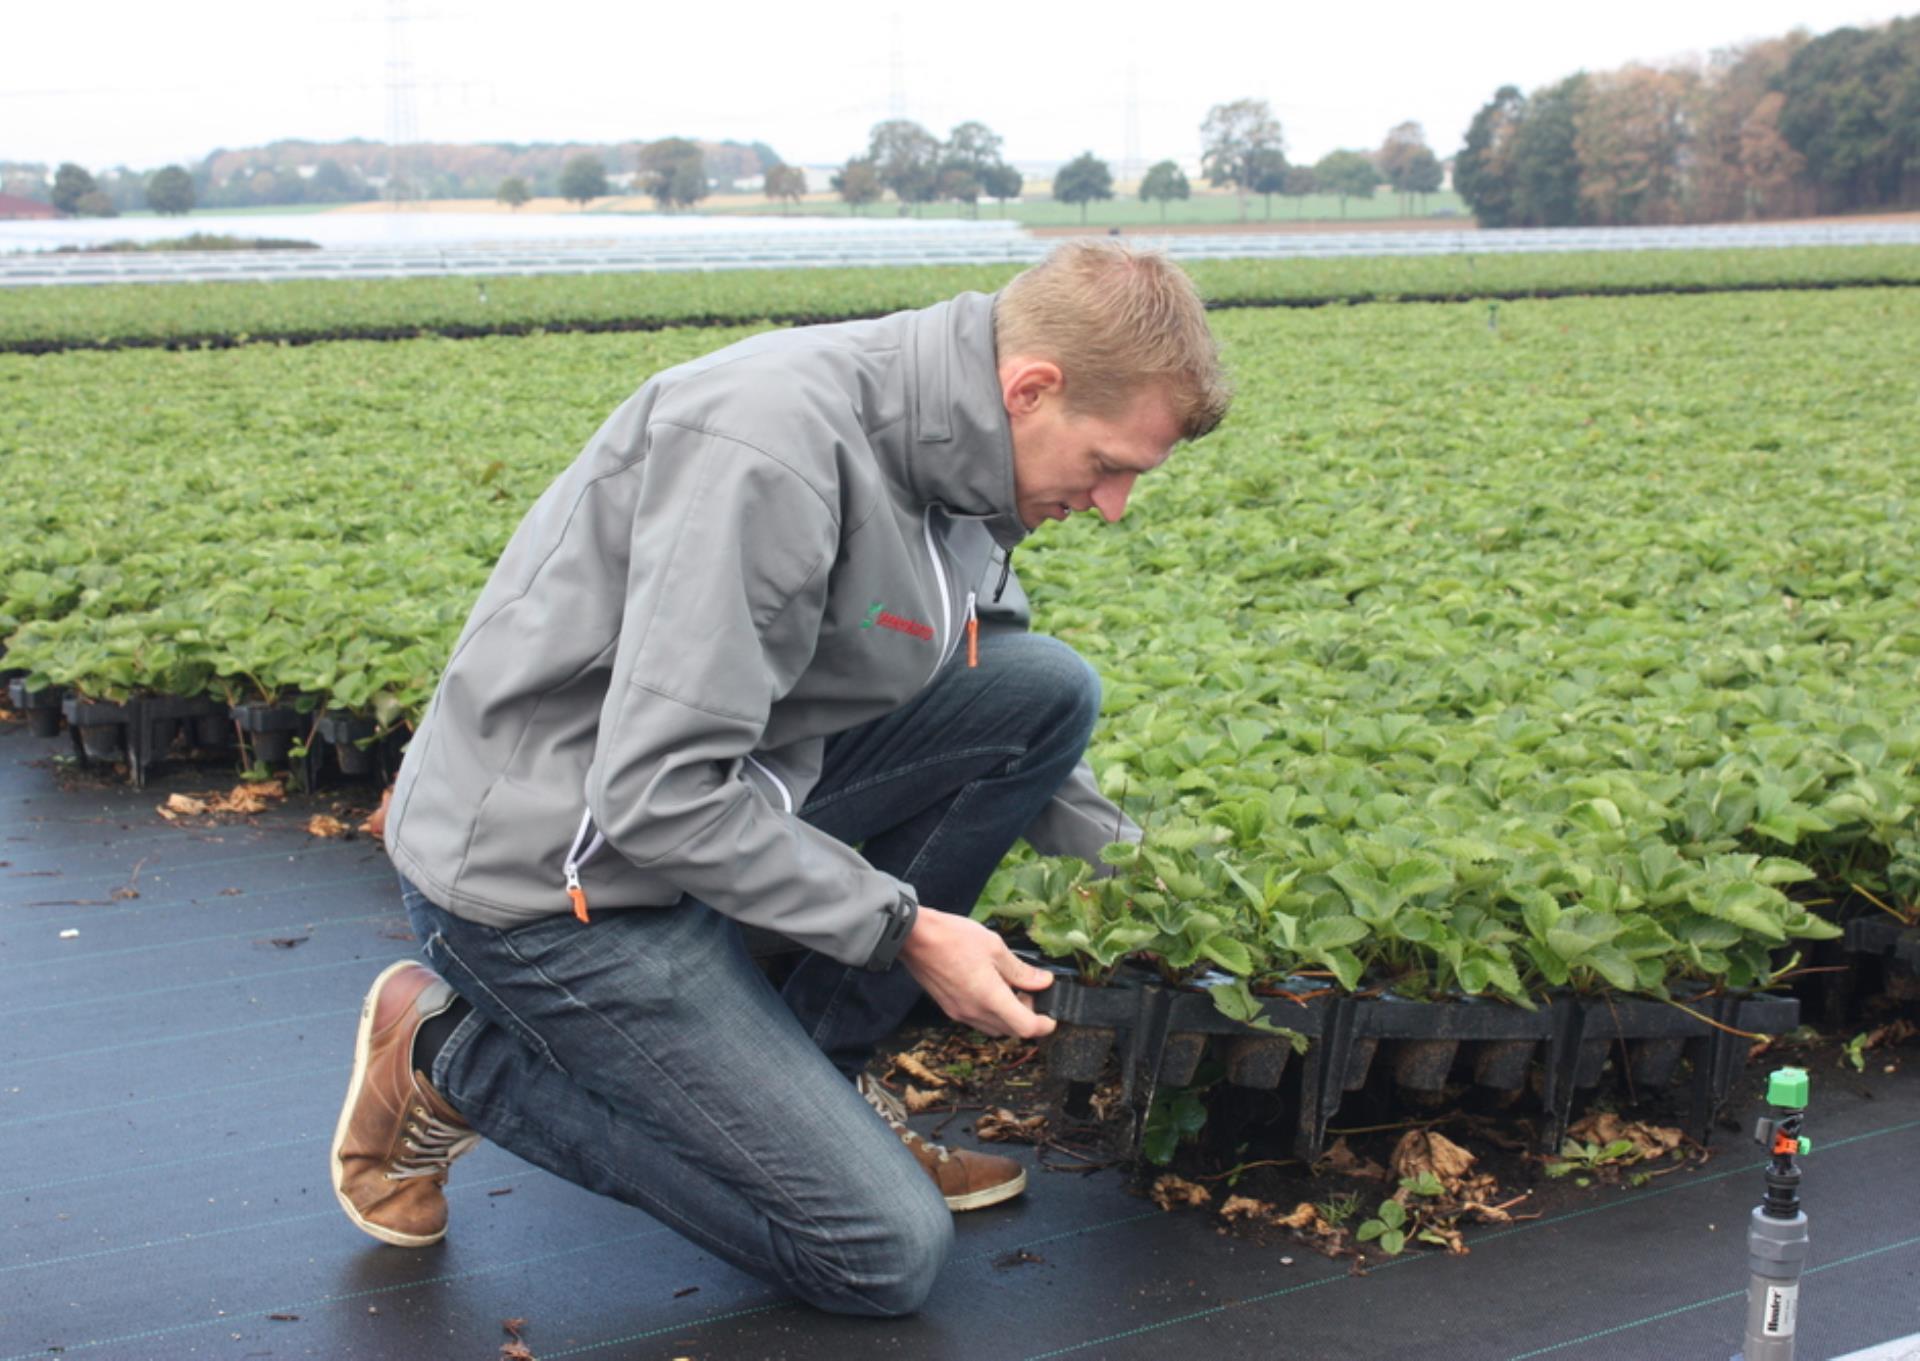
<point x="396" y="1134"/>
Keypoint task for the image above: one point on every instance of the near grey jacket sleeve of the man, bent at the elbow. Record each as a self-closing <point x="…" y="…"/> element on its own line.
<point x="725" y="598"/>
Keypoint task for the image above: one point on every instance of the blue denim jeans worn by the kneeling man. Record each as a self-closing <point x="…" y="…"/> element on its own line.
<point x="646" y="1057"/>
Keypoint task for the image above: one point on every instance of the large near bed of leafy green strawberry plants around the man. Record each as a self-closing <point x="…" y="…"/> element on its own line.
<point x="1481" y="650"/>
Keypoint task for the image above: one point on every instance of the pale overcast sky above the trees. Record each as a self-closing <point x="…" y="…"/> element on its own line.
<point x="143" y="84"/>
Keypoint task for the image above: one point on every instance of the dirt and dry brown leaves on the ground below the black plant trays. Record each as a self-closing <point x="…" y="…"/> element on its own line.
<point x="1479" y="1153"/>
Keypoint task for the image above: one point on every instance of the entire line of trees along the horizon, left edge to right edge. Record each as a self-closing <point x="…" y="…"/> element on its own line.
<point x="1771" y="130"/>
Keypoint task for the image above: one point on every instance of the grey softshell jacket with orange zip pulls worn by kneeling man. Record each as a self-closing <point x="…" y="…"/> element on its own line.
<point x="761" y="548"/>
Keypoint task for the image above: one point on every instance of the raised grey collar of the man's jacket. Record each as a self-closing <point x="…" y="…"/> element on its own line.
<point x="961" y="454"/>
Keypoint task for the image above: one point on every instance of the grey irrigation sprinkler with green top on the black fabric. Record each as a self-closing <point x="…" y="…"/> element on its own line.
<point x="1777" y="1233"/>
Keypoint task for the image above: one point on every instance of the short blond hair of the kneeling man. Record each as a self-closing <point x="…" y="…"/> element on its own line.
<point x="1116" y="322"/>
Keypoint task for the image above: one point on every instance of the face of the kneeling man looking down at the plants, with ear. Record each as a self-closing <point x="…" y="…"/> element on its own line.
<point x="1067" y="460"/>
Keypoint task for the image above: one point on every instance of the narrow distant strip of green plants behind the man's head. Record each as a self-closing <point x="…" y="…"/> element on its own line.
<point x="304" y="310"/>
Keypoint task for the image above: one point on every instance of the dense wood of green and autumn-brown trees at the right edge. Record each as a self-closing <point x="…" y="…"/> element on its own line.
<point x="1779" y="128"/>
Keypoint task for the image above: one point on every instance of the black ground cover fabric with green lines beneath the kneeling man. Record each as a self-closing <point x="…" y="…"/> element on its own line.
<point x="170" y="1080"/>
